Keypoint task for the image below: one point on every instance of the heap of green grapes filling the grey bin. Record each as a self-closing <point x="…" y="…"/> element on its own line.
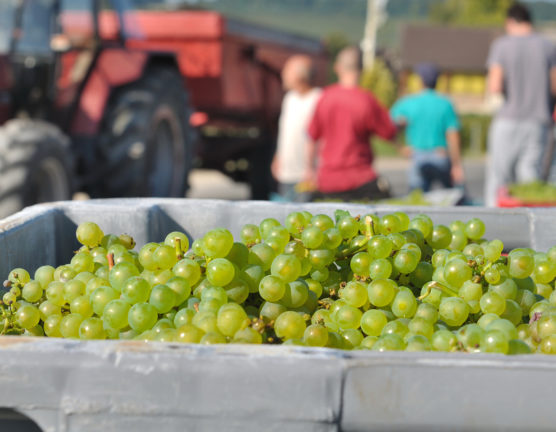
<point x="349" y="282"/>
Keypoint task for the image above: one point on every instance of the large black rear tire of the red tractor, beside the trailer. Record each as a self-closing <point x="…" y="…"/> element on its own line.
<point x="146" y="142"/>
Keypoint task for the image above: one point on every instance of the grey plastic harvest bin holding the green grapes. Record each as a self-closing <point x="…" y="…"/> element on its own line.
<point x="69" y="385"/>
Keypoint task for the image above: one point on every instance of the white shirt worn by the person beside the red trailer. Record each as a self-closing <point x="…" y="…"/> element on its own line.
<point x="297" y="112"/>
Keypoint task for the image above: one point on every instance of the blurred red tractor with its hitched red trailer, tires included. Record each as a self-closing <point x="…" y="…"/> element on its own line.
<point x="98" y="96"/>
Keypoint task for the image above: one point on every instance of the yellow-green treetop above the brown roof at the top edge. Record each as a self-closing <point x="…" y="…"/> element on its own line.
<point x="480" y="13"/>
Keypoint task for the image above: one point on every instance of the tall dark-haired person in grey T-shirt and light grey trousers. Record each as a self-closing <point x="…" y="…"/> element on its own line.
<point x="522" y="75"/>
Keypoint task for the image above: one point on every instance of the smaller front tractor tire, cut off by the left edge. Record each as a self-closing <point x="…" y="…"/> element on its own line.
<point x="36" y="165"/>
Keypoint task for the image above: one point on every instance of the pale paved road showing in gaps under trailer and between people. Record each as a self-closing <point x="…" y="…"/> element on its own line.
<point x="212" y="184"/>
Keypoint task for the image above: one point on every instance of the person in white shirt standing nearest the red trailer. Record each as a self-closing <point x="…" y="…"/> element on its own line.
<point x="298" y="105"/>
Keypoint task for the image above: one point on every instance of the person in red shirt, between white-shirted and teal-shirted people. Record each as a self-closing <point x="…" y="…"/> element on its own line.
<point x="345" y="118"/>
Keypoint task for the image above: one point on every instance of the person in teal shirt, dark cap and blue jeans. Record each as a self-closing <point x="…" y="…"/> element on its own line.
<point x="432" y="134"/>
